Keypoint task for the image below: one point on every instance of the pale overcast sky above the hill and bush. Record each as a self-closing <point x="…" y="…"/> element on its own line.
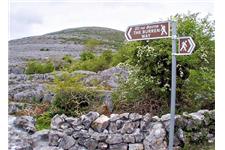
<point x="37" y="17"/>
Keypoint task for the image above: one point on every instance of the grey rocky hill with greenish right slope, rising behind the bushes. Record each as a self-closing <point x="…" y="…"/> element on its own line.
<point x="66" y="42"/>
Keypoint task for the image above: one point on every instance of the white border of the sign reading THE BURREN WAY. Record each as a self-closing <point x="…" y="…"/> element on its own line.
<point x="150" y="38"/>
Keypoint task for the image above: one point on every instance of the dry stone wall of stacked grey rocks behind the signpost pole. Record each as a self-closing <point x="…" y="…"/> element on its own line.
<point x="129" y="131"/>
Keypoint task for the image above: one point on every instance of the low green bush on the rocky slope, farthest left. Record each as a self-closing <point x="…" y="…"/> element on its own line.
<point x="33" y="67"/>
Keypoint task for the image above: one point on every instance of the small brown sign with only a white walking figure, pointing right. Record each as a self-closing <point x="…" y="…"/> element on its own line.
<point x="186" y="45"/>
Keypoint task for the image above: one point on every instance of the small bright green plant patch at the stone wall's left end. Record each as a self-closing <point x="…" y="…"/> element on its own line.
<point x="43" y="121"/>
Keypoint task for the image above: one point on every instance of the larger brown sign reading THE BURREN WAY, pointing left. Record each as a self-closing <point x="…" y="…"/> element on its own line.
<point x="148" y="31"/>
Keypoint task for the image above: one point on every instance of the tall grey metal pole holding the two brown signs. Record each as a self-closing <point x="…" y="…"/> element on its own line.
<point x="173" y="90"/>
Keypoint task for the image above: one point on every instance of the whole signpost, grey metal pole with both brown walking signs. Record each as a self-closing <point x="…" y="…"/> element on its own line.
<point x="186" y="46"/>
